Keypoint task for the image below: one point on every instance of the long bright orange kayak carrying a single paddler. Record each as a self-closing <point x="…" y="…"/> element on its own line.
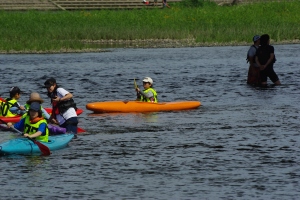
<point x="138" y="106"/>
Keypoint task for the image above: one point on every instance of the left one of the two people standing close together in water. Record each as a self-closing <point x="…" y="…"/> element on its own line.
<point x="254" y="71"/>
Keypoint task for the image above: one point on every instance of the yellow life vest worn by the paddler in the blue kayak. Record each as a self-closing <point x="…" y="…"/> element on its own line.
<point x="31" y="127"/>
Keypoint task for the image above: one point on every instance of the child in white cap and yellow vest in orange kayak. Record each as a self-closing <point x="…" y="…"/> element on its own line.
<point x="148" y="94"/>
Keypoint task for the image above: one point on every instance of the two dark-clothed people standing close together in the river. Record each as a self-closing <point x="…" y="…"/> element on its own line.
<point x="261" y="58"/>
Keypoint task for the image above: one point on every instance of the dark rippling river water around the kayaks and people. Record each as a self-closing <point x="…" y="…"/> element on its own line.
<point x="242" y="143"/>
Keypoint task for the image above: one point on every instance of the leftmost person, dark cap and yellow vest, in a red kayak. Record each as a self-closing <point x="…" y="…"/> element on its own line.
<point x="15" y="94"/>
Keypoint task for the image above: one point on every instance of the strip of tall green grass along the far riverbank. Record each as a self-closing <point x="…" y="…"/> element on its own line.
<point x="210" y="24"/>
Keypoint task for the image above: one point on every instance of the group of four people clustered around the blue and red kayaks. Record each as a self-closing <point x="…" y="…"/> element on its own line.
<point x="34" y="120"/>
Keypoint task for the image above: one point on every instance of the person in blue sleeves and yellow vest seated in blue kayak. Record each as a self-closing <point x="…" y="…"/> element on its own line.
<point x="33" y="125"/>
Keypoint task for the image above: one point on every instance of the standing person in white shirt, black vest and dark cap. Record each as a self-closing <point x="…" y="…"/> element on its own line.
<point x="63" y="107"/>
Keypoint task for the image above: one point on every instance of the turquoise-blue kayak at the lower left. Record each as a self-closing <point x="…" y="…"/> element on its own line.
<point x="26" y="146"/>
